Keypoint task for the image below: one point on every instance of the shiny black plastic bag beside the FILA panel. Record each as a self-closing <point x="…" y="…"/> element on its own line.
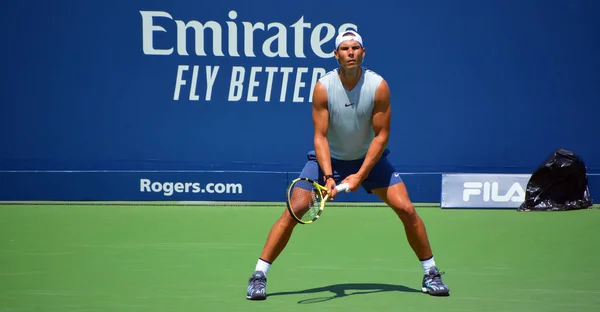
<point x="559" y="184"/>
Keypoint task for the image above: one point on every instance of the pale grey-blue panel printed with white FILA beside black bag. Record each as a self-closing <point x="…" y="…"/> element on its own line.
<point x="483" y="190"/>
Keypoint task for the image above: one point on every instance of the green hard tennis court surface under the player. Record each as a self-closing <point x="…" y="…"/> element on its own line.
<point x="168" y="258"/>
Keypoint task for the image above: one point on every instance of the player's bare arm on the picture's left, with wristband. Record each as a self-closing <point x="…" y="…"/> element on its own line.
<point x="320" y="114"/>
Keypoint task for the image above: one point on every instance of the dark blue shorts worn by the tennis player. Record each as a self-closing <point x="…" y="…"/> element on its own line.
<point x="383" y="173"/>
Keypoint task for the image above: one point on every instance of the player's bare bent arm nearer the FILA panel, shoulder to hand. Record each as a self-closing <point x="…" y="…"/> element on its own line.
<point x="382" y="112"/>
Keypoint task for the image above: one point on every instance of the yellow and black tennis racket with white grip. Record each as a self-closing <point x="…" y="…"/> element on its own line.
<point x="306" y="199"/>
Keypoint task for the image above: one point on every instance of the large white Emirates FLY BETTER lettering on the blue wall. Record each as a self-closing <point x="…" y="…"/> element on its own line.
<point x="230" y="57"/>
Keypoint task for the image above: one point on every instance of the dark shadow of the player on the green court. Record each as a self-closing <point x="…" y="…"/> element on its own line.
<point x="345" y="290"/>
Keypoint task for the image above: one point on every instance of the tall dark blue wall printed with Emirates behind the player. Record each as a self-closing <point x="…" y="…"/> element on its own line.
<point x="477" y="86"/>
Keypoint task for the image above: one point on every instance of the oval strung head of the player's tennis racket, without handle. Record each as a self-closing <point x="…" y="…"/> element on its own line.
<point x="304" y="200"/>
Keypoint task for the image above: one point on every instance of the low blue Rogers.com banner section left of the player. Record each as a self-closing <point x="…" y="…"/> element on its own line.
<point x="142" y="186"/>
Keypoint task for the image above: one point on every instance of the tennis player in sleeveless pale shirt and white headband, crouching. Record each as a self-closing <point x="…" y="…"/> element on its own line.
<point x="351" y="117"/>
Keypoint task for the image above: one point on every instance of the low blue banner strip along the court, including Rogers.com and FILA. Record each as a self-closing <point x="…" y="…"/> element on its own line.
<point x="457" y="190"/>
